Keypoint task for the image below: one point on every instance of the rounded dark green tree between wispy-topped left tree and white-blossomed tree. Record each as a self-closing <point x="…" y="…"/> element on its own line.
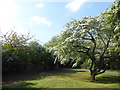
<point x="40" y="55"/>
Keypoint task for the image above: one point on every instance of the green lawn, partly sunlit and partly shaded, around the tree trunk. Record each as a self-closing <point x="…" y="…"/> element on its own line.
<point x="67" y="79"/>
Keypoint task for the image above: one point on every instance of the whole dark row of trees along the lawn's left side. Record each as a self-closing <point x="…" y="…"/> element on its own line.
<point x="20" y="54"/>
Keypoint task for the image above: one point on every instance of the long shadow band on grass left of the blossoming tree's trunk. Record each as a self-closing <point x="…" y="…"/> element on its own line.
<point x="21" y="81"/>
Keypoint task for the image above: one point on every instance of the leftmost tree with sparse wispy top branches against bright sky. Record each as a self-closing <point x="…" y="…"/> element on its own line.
<point x="14" y="47"/>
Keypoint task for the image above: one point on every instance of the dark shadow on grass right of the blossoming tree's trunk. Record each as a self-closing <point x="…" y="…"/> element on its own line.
<point x="108" y="79"/>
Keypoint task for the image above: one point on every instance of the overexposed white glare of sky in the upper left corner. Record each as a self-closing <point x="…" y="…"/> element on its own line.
<point x="8" y="12"/>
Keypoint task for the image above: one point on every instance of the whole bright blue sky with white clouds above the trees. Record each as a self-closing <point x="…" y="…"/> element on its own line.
<point x="45" y="18"/>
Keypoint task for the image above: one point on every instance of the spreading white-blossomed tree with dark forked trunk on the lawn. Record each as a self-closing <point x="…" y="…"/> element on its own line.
<point x="89" y="40"/>
